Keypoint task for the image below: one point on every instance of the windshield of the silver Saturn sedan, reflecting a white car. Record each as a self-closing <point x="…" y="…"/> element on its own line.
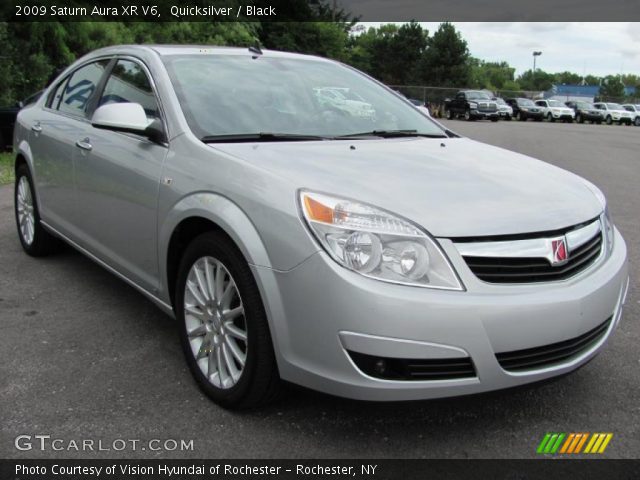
<point x="286" y="98"/>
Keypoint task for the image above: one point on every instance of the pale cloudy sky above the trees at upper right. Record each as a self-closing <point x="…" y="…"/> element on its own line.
<point x="592" y="48"/>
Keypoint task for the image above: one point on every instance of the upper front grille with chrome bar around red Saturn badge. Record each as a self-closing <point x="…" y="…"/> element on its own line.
<point x="530" y="260"/>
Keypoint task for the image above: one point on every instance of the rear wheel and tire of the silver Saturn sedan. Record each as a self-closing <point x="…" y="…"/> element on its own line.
<point x="35" y="240"/>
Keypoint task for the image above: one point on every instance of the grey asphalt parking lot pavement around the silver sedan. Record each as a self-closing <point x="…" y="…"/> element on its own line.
<point x="84" y="356"/>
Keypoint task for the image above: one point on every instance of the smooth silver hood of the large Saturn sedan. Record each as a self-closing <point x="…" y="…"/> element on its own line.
<point x="452" y="187"/>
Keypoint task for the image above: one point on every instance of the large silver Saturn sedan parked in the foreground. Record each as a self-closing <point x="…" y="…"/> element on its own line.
<point x="377" y="258"/>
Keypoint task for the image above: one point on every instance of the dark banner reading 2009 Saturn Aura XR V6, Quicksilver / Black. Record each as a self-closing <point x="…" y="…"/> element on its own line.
<point x="314" y="10"/>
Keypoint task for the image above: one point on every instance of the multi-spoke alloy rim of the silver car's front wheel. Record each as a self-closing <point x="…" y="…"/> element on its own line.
<point x="215" y="322"/>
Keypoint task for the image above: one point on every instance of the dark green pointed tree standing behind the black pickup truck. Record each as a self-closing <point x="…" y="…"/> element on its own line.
<point x="446" y="60"/>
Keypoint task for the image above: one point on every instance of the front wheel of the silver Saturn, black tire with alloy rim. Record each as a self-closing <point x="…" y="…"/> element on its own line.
<point x="255" y="381"/>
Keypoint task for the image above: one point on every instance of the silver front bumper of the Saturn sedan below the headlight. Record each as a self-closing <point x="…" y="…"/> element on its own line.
<point x="319" y="310"/>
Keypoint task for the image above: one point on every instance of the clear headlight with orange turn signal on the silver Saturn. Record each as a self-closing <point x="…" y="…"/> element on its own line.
<point x="377" y="244"/>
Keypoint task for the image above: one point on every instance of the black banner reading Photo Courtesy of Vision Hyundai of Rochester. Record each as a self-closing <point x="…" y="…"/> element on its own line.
<point x="335" y="469"/>
